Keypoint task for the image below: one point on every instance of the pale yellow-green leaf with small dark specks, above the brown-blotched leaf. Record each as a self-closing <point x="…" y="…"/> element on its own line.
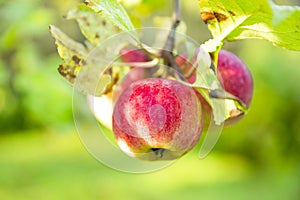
<point x="93" y="25"/>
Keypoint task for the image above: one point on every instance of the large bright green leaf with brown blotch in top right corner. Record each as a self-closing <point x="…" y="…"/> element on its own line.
<point x="248" y="19"/>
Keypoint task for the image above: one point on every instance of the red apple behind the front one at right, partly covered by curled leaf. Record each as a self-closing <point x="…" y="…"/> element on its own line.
<point x="233" y="75"/>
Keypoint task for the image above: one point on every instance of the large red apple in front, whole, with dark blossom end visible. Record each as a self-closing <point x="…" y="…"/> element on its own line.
<point x="157" y="119"/>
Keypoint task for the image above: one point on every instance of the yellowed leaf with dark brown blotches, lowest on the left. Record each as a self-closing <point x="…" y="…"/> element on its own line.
<point x="74" y="56"/>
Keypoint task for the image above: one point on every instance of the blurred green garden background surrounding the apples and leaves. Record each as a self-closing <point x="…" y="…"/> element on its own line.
<point x="41" y="156"/>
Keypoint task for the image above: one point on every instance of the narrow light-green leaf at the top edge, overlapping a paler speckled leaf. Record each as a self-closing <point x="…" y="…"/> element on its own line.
<point x="115" y="13"/>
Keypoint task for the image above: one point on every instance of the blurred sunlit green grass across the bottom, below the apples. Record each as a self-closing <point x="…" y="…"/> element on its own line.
<point x="55" y="166"/>
